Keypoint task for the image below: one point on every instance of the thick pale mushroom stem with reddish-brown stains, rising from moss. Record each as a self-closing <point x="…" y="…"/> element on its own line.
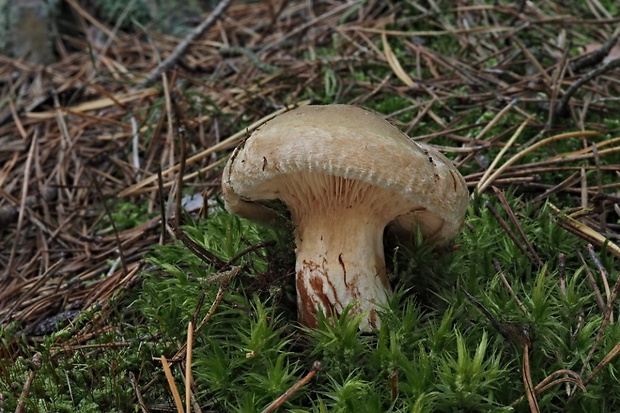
<point x="340" y="261"/>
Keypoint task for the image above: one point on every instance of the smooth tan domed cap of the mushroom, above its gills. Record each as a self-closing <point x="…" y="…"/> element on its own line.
<point x="347" y="142"/>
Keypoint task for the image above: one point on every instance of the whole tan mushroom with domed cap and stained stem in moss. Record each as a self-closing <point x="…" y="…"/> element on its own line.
<point x="344" y="174"/>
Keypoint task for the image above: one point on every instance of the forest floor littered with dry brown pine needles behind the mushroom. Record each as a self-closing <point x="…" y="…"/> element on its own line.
<point x="98" y="150"/>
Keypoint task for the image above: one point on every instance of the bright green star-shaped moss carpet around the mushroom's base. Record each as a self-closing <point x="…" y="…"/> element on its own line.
<point x="443" y="354"/>
